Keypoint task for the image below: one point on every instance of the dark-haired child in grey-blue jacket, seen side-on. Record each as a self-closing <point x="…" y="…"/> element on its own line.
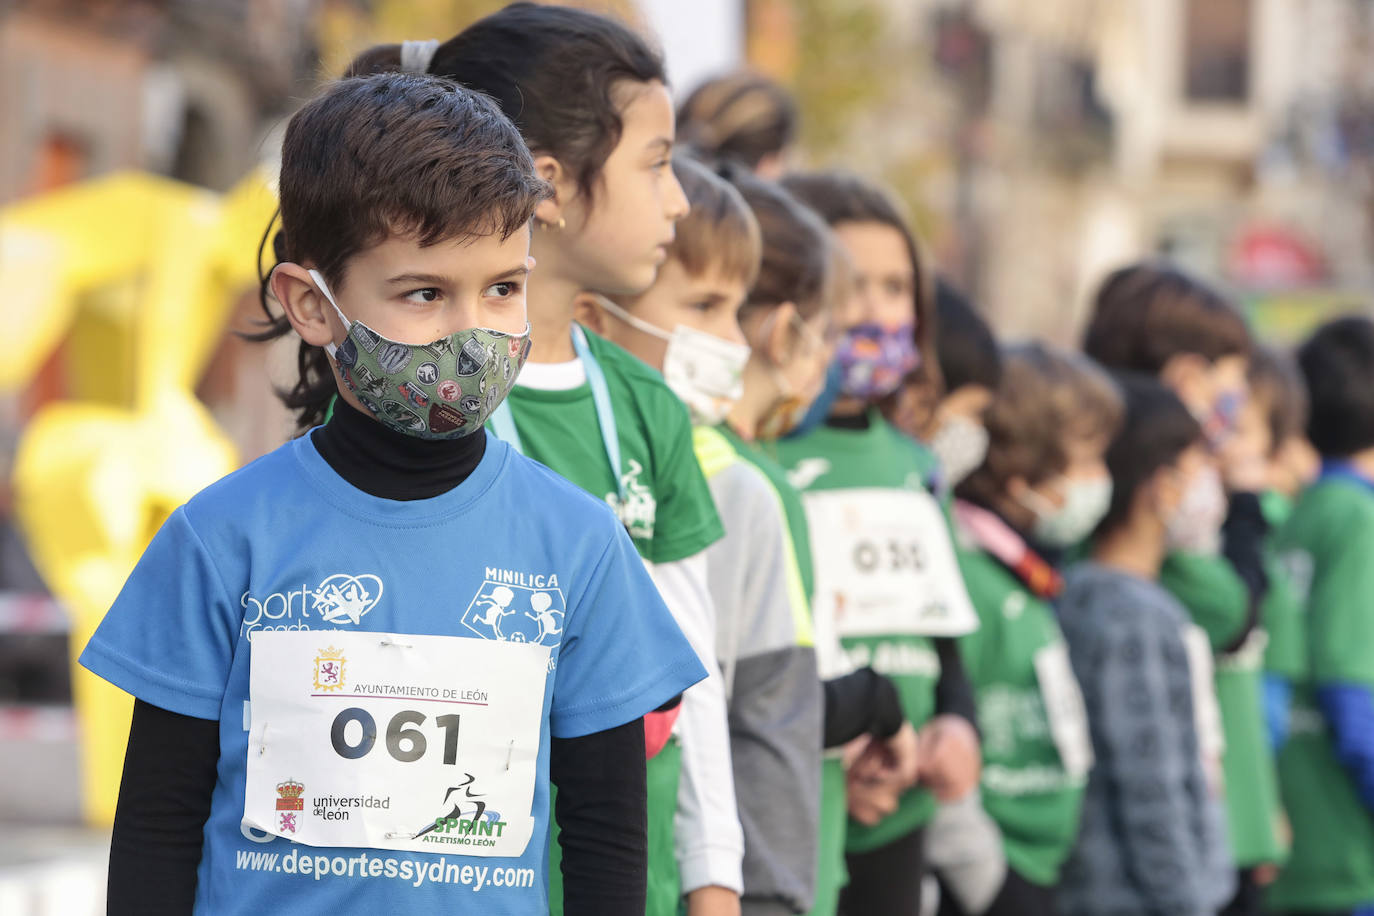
<point x="1152" y="840"/>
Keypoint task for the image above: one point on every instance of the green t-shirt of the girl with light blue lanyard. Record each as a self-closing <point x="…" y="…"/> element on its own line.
<point x="667" y="509"/>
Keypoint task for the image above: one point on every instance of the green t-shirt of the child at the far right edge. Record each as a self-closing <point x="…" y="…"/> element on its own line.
<point x="1331" y="539"/>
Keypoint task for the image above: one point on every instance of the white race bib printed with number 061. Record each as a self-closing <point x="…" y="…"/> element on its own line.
<point x="420" y="744"/>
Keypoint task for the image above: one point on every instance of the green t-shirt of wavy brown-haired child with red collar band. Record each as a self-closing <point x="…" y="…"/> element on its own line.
<point x="1027" y="786"/>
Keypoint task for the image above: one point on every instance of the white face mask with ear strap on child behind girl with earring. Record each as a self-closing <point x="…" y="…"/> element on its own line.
<point x="708" y="374"/>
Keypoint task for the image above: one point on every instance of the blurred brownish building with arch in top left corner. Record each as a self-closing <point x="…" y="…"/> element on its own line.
<point x="177" y="87"/>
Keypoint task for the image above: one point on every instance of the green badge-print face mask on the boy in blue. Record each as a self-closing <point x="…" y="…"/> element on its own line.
<point x="439" y="391"/>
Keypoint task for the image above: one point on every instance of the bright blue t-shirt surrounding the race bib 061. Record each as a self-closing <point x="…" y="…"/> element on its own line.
<point x="286" y="545"/>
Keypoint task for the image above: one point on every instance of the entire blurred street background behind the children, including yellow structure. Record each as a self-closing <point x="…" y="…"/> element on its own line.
<point x="1037" y="145"/>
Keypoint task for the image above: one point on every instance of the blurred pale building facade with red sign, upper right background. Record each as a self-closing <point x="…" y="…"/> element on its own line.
<point x="1044" y="144"/>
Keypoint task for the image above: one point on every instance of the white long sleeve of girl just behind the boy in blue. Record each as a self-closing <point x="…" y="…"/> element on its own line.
<point x="708" y="837"/>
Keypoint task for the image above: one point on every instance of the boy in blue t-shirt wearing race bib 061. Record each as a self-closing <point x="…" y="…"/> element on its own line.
<point x="361" y="660"/>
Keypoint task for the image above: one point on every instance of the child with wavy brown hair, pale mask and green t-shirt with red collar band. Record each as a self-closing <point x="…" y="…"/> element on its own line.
<point x="1042" y="485"/>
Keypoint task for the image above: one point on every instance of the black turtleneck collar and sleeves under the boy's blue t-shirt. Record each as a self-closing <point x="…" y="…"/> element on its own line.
<point x="170" y="768"/>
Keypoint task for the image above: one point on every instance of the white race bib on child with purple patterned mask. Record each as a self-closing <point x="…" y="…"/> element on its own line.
<point x="886" y="565"/>
